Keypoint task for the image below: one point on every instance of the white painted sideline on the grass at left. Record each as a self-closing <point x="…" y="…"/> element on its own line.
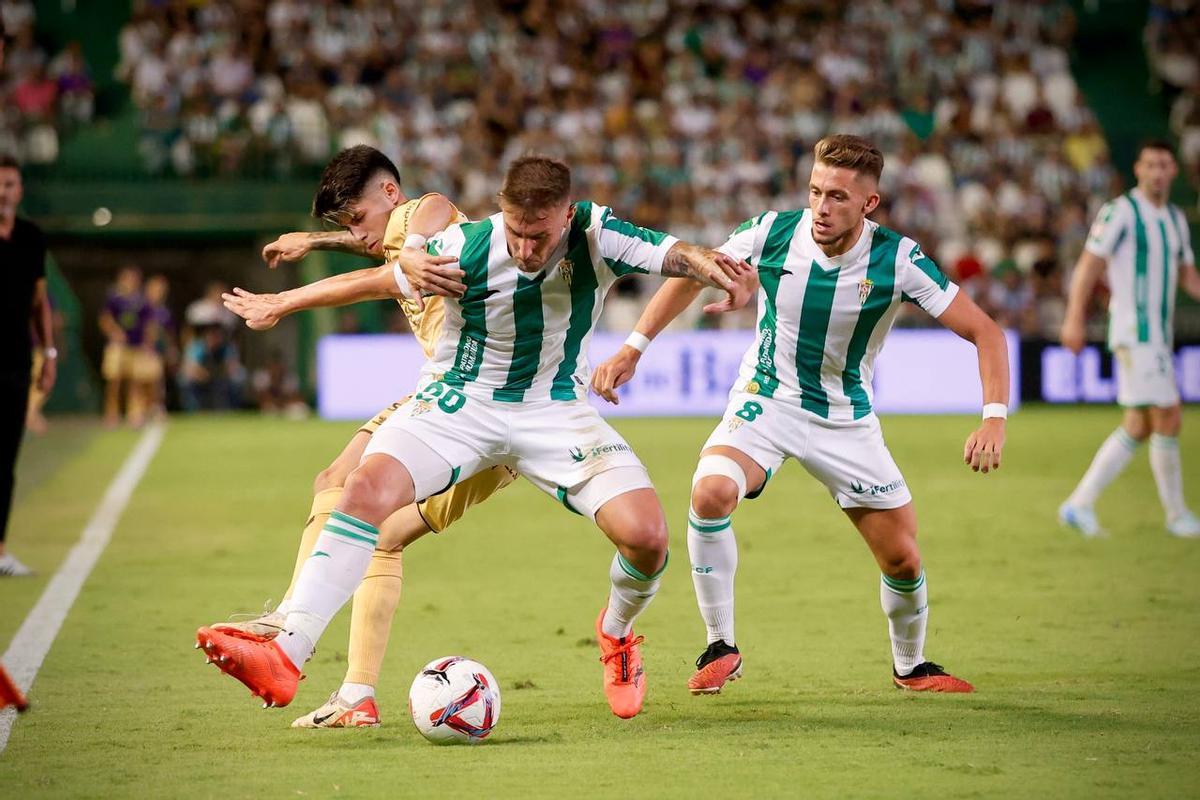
<point x="33" y="641"/>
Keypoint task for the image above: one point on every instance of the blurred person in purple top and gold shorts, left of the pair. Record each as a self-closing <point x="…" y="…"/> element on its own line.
<point x="131" y="365"/>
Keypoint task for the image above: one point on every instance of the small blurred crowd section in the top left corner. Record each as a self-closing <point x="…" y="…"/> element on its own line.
<point x="40" y="97"/>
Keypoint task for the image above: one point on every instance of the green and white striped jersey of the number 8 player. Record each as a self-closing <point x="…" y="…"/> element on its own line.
<point x="823" y="321"/>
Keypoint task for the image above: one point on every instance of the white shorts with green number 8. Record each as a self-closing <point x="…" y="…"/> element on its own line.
<point x="850" y="459"/>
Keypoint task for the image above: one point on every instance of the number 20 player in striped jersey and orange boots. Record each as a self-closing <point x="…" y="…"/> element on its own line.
<point x="507" y="384"/>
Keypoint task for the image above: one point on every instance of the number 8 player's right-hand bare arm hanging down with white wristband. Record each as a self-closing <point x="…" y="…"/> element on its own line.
<point x="965" y="318"/>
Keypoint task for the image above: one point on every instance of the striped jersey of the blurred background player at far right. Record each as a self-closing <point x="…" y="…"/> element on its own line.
<point x="1145" y="246"/>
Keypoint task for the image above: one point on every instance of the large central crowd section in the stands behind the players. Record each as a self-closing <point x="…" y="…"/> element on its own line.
<point x="682" y="116"/>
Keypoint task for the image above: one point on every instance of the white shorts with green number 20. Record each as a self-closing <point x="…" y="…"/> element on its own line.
<point x="566" y="449"/>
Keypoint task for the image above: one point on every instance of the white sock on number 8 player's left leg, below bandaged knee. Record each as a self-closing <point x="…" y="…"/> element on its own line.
<point x="715" y="564"/>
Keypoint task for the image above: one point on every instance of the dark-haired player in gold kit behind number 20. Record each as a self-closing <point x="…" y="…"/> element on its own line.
<point x="361" y="193"/>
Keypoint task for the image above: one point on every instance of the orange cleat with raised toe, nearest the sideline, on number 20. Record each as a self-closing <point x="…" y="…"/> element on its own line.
<point x="256" y="661"/>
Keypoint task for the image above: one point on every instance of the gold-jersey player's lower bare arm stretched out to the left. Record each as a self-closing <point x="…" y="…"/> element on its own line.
<point x="265" y="311"/>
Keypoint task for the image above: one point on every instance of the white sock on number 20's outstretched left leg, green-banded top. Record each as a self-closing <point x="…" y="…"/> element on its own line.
<point x="329" y="578"/>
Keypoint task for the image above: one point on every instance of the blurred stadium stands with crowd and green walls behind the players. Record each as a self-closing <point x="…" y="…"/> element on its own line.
<point x="181" y="136"/>
